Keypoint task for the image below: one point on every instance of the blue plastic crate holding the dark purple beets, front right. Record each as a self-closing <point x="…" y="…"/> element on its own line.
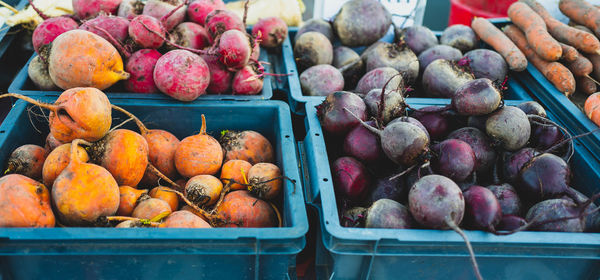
<point x="356" y="253"/>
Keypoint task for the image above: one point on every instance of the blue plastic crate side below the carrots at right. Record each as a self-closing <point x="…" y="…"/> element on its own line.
<point x="570" y="114"/>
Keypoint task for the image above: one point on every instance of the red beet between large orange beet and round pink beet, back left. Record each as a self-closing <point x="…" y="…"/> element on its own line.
<point x="141" y="68"/>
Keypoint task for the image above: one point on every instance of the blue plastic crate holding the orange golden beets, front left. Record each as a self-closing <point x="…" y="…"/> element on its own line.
<point x="145" y="253"/>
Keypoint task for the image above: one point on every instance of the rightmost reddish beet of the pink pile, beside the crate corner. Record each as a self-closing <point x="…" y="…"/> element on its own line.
<point x="271" y="31"/>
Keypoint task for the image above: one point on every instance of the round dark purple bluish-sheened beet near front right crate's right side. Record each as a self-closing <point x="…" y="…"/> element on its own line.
<point x="544" y="176"/>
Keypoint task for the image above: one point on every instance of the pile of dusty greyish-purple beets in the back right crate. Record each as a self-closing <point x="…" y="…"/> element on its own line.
<point x="416" y="58"/>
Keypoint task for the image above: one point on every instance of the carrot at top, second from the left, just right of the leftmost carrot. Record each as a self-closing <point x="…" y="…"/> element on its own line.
<point x="535" y="29"/>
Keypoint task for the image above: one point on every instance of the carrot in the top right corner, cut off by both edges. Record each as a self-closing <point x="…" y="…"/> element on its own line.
<point x="582" y="13"/>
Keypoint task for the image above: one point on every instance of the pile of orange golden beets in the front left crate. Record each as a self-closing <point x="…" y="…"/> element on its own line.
<point x="90" y="175"/>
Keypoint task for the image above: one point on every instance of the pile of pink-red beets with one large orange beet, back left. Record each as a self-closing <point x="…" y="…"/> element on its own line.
<point x="149" y="47"/>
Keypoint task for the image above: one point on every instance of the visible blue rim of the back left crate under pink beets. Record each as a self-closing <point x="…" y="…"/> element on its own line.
<point x="22" y="84"/>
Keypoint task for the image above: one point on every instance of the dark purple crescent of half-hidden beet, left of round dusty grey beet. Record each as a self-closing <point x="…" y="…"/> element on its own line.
<point x="485" y="155"/>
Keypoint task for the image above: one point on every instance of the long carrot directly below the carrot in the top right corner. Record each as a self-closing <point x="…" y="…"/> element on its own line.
<point x="579" y="39"/>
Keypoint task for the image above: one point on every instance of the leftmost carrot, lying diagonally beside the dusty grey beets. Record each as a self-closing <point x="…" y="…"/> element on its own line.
<point x="488" y="33"/>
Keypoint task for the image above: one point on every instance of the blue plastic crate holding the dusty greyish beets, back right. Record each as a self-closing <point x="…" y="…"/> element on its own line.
<point x="297" y="99"/>
